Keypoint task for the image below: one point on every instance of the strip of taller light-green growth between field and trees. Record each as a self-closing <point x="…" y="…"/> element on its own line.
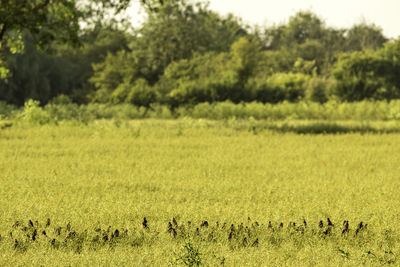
<point x="365" y="110"/>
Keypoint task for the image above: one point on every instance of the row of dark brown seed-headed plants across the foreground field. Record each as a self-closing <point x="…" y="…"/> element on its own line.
<point x="245" y="234"/>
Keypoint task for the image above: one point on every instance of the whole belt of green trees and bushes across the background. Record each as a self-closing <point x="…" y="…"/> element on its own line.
<point x="185" y="54"/>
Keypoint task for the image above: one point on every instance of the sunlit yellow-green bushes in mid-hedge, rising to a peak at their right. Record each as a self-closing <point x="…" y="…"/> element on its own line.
<point x="209" y="78"/>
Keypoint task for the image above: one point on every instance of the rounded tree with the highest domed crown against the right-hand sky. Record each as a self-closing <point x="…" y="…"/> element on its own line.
<point x="307" y="37"/>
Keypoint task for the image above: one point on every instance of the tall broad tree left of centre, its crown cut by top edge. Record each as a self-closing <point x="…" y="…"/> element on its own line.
<point x="177" y="29"/>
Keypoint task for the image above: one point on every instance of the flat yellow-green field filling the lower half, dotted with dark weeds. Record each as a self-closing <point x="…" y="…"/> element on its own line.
<point x="78" y="195"/>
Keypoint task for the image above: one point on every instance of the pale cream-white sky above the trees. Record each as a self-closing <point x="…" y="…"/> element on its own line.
<point x="336" y="13"/>
